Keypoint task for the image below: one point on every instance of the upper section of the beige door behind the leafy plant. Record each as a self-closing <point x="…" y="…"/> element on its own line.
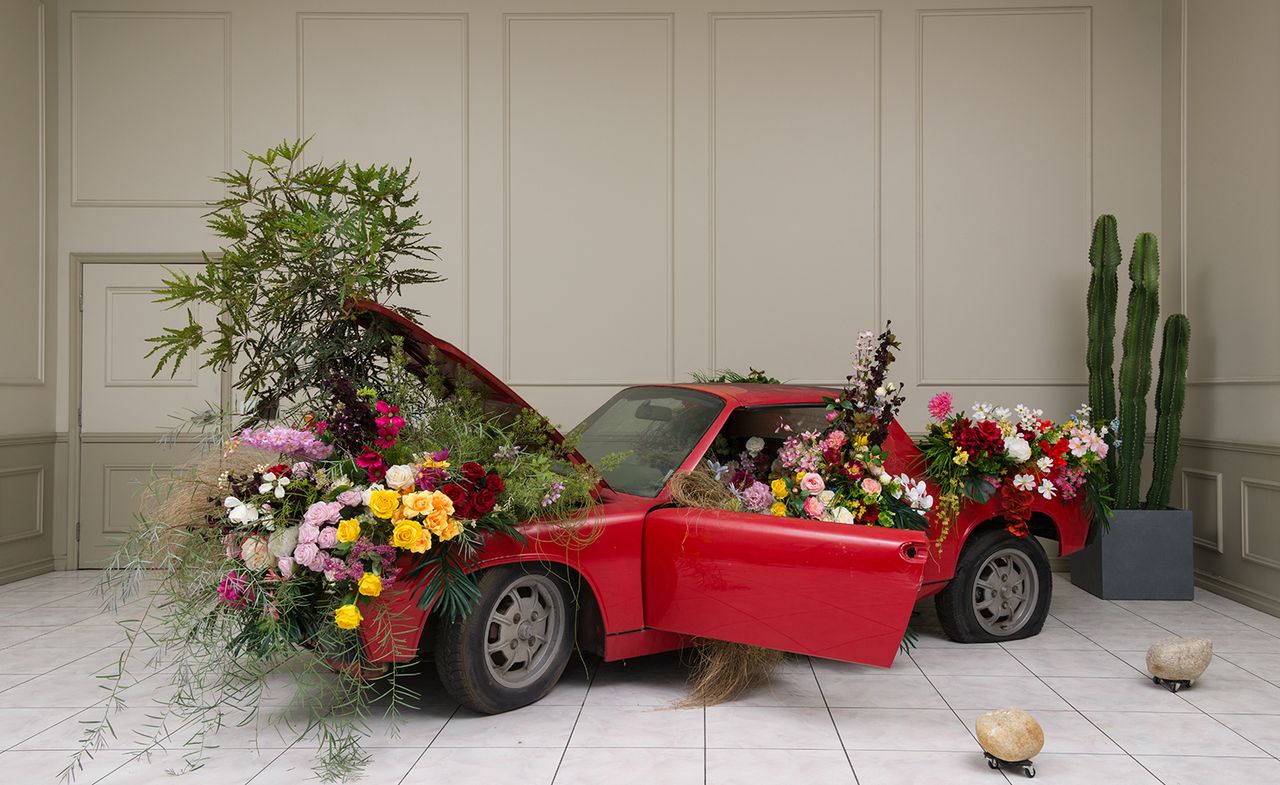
<point x="120" y="392"/>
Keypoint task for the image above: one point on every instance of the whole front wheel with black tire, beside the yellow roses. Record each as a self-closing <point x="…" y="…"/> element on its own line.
<point x="513" y="649"/>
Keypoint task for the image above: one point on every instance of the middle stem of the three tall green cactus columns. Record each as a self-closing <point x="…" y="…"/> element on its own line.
<point x="1140" y="334"/>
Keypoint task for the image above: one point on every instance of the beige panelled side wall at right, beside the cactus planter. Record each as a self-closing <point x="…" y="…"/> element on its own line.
<point x="1223" y="268"/>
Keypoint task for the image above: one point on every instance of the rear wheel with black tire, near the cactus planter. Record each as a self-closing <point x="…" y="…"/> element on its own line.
<point x="1000" y="592"/>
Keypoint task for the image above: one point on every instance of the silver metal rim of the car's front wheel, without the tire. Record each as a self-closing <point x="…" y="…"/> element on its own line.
<point x="523" y="631"/>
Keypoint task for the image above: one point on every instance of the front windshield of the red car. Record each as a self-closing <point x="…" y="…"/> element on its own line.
<point x="650" y="431"/>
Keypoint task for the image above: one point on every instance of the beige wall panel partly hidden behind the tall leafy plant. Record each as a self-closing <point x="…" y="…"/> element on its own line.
<point x="408" y="74"/>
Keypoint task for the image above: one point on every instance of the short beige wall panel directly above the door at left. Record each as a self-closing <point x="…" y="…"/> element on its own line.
<point x="153" y="127"/>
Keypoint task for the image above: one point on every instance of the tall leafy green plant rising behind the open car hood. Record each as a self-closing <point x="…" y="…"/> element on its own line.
<point x="301" y="243"/>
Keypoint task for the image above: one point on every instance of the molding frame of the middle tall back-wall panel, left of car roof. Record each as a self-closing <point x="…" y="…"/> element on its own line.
<point x="670" y="322"/>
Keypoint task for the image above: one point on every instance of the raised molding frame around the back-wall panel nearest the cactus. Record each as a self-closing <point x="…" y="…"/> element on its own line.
<point x="924" y="378"/>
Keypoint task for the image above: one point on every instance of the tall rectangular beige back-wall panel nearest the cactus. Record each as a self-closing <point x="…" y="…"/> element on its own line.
<point x="1005" y="195"/>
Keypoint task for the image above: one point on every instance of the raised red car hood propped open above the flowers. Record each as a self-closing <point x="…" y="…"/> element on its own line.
<point x="500" y="399"/>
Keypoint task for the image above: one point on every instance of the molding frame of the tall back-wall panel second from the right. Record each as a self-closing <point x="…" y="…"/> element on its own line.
<point x="712" y="259"/>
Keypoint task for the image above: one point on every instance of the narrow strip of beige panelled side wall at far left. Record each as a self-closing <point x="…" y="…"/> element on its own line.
<point x="28" y="240"/>
